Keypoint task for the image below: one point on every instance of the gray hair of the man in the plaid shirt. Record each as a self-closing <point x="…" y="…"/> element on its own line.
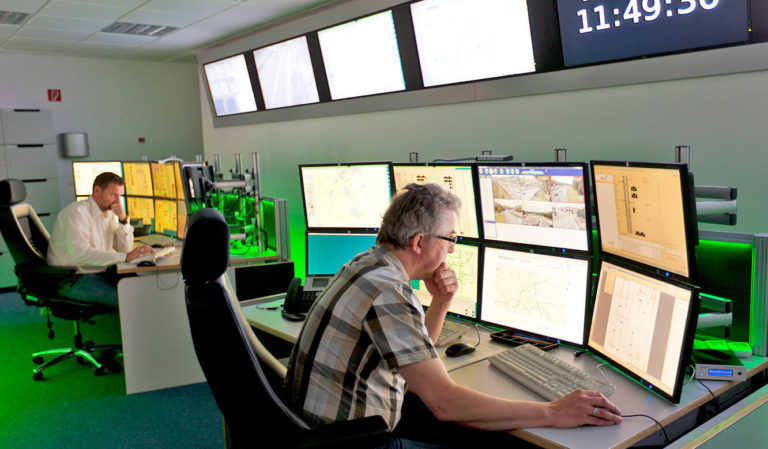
<point x="418" y="209"/>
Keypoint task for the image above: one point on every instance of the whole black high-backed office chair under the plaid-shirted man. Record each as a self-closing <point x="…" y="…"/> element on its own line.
<point x="245" y="379"/>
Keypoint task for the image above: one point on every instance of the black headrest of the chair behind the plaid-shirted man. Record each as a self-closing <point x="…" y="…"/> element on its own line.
<point x="205" y="254"/>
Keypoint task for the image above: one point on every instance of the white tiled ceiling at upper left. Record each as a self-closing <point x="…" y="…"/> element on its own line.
<point x="74" y="27"/>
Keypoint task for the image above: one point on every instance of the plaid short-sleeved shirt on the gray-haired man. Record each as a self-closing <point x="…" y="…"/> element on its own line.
<point x="366" y="324"/>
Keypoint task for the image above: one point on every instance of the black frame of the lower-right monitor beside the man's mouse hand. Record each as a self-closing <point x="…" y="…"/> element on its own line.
<point x="688" y="335"/>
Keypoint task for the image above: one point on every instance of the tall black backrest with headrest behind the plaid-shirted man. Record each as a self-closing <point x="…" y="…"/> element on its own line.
<point x="223" y="343"/>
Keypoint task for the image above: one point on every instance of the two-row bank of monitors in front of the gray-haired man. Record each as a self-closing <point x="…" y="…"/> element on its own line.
<point x="525" y="259"/>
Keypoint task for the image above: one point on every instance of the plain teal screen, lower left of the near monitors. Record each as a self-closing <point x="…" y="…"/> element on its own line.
<point x="327" y="252"/>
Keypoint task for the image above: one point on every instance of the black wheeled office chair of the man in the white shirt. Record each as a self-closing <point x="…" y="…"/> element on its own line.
<point x="27" y="241"/>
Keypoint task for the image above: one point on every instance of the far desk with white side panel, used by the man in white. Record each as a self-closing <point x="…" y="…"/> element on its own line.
<point x="157" y="344"/>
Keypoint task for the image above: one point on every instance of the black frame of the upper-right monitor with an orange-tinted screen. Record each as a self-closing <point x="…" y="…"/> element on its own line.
<point x="689" y="221"/>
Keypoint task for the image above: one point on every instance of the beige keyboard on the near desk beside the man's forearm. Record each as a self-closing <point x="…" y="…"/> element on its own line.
<point x="545" y="374"/>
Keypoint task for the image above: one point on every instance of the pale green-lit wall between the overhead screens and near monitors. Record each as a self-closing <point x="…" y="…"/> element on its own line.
<point x="723" y="119"/>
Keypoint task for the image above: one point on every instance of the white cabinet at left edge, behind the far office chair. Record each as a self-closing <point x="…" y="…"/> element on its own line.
<point x="29" y="153"/>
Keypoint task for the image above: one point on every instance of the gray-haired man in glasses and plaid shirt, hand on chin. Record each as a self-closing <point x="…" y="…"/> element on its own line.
<point x="367" y="336"/>
